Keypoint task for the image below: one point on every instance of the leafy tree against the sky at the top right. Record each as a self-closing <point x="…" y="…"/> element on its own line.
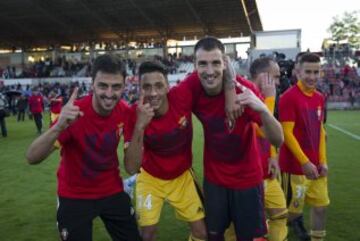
<point x="346" y="28"/>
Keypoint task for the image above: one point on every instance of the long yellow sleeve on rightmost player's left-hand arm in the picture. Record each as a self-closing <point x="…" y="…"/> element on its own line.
<point x="292" y="143"/>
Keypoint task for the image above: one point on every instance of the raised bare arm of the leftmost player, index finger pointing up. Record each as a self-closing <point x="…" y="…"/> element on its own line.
<point x="44" y="144"/>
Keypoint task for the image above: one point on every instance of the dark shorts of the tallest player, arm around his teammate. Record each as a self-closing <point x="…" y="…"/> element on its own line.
<point x="245" y="208"/>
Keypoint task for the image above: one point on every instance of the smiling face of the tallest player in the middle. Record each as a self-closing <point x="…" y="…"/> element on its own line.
<point x="210" y="67"/>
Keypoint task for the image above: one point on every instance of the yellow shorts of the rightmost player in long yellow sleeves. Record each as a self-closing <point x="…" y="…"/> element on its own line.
<point x="303" y="190"/>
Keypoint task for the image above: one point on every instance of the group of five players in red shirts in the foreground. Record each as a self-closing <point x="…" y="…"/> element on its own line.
<point x="245" y="148"/>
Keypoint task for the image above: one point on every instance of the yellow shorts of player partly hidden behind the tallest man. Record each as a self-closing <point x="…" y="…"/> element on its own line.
<point x="274" y="195"/>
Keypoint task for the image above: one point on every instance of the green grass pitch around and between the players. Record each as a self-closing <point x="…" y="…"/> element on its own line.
<point x="28" y="193"/>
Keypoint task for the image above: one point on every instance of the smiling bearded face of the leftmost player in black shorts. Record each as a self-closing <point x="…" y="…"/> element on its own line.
<point x="107" y="91"/>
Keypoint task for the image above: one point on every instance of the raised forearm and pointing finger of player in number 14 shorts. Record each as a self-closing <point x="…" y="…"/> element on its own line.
<point x="133" y="151"/>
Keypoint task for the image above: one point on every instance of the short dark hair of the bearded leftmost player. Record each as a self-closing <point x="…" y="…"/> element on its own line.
<point x="110" y="64"/>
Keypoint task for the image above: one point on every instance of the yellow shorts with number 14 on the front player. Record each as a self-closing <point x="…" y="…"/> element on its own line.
<point x="181" y="193"/>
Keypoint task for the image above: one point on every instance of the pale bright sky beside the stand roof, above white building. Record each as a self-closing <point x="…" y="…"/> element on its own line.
<point x="313" y="17"/>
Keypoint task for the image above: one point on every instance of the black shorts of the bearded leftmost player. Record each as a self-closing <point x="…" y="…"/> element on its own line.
<point x="75" y="218"/>
